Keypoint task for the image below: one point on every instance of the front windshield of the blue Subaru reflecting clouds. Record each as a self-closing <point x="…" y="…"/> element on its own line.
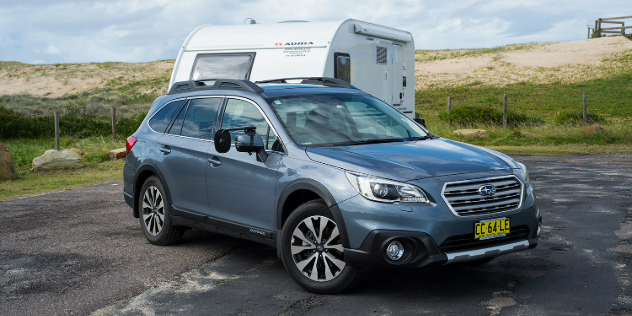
<point x="342" y="119"/>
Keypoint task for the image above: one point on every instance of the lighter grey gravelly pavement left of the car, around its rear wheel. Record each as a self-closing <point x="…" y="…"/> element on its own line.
<point x="74" y="251"/>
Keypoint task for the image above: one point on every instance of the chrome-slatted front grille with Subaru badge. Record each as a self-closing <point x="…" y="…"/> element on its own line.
<point x="464" y="199"/>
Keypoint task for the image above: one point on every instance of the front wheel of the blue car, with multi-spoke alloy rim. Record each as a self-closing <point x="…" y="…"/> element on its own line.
<point x="312" y="251"/>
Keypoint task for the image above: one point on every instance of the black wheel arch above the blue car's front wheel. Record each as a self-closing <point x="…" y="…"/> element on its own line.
<point x="305" y="190"/>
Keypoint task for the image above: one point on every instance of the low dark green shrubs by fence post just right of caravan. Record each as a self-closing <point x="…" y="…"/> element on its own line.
<point x="483" y="115"/>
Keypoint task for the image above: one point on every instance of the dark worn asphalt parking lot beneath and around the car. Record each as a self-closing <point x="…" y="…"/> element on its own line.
<point x="81" y="252"/>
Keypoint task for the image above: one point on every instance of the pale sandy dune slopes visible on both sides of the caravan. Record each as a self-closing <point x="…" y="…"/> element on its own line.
<point x="546" y="62"/>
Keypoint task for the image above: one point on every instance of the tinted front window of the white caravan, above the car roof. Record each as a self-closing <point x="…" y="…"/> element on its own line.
<point x="222" y="66"/>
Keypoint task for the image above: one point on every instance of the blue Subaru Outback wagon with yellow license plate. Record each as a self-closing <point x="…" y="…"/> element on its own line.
<point x="335" y="179"/>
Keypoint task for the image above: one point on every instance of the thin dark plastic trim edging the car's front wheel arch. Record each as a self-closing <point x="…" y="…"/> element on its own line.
<point x="323" y="193"/>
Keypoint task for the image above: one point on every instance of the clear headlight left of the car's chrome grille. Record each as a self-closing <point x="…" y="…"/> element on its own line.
<point x="383" y="190"/>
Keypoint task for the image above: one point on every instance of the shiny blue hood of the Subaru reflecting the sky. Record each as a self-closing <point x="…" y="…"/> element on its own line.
<point x="405" y="161"/>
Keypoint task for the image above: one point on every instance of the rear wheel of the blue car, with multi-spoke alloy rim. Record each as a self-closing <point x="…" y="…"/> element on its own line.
<point x="155" y="214"/>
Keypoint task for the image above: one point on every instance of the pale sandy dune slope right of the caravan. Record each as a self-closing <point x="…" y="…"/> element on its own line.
<point x="546" y="62"/>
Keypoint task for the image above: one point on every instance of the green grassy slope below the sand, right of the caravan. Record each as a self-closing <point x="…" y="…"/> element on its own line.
<point x="611" y="97"/>
